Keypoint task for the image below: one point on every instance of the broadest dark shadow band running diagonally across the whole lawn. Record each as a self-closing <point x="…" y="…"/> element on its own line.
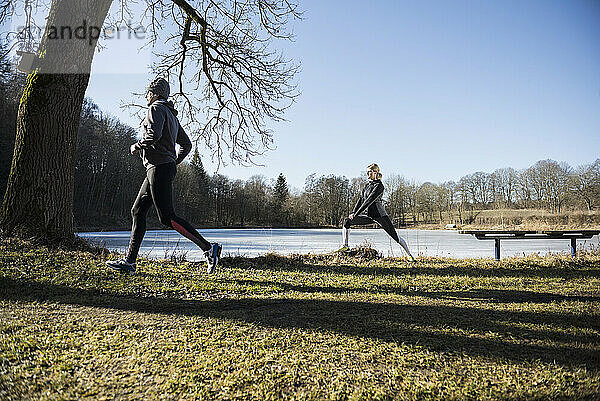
<point x="473" y="331"/>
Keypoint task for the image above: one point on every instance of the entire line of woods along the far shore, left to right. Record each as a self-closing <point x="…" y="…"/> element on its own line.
<point x="107" y="179"/>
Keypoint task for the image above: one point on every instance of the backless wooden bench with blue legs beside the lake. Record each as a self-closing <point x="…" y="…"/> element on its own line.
<point x="573" y="235"/>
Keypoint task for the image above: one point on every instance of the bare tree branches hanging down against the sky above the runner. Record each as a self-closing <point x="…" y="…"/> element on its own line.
<point x="237" y="82"/>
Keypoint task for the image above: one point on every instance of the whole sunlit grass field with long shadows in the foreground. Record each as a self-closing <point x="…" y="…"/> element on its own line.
<point x="325" y="327"/>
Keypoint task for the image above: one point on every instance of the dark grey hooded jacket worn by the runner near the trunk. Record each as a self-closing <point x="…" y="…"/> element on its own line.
<point x="161" y="131"/>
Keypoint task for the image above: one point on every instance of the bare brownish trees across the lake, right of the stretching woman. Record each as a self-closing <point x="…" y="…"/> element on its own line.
<point x="547" y="185"/>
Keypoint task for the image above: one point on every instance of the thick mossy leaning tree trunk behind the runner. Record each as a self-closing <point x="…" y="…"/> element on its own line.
<point x="39" y="196"/>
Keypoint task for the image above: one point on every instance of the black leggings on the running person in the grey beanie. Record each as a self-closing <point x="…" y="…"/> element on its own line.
<point x="157" y="190"/>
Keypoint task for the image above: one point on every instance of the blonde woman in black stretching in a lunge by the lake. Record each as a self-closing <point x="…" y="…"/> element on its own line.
<point x="370" y="201"/>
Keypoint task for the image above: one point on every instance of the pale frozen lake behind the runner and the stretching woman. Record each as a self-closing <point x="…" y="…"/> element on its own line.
<point x="255" y="242"/>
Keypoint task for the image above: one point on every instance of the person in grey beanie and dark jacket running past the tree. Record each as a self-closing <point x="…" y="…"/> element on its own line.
<point x="161" y="131"/>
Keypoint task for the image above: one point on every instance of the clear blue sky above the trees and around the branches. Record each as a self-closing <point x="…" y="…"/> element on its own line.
<point x="431" y="90"/>
